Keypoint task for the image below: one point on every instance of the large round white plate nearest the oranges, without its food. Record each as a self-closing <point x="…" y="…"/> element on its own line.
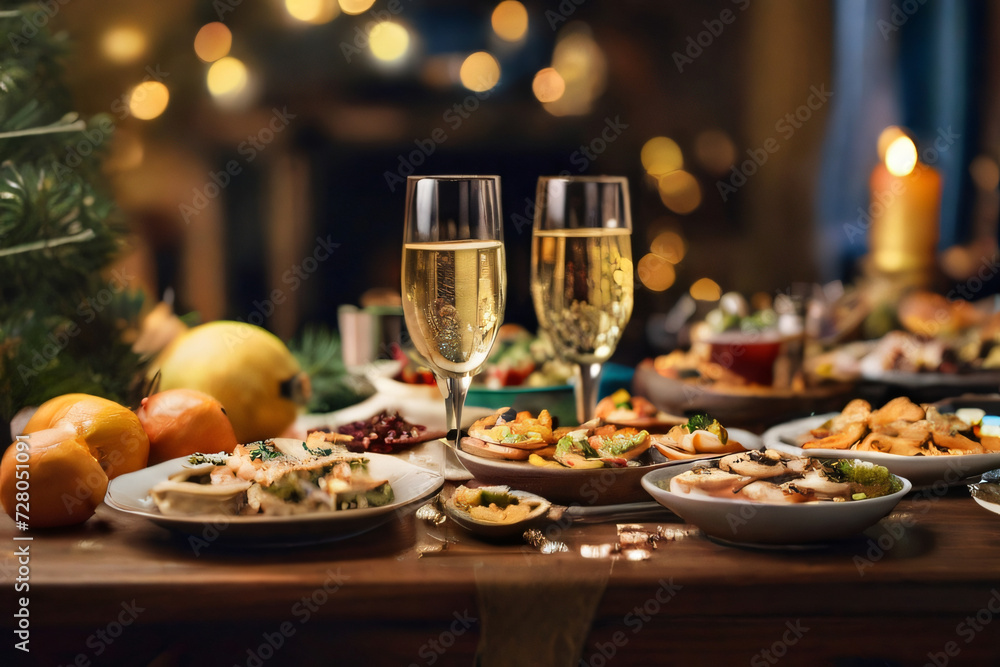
<point x="410" y="484"/>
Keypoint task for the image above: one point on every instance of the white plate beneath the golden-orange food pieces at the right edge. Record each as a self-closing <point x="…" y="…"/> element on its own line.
<point x="920" y="470"/>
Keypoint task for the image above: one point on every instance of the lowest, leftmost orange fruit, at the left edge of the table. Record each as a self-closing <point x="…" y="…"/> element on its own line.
<point x="64" y="483"/>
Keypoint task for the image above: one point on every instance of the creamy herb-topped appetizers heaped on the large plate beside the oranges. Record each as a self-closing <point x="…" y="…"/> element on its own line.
<point x="277" y="477"/>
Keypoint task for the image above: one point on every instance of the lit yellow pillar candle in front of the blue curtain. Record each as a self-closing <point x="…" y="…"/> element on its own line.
<point x="905" y="210"/>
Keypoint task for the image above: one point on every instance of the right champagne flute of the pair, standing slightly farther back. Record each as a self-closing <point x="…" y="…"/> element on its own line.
<point x="581" y="273"/>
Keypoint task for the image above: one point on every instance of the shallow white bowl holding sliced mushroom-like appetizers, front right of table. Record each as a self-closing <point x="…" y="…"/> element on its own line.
<point x="745" y="522"/>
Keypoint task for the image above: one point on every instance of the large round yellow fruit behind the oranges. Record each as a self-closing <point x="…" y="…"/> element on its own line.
<point x="246" y="368"/>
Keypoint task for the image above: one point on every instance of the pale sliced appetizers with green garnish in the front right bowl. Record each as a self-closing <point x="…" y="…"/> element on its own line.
<point x="769" y="476"/>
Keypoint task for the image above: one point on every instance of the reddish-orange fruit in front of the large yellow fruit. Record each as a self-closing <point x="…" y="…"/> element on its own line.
<point x="180" y="422"/>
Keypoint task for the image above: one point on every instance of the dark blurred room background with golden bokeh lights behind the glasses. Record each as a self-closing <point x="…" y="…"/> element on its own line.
<point x="262" y="147"/>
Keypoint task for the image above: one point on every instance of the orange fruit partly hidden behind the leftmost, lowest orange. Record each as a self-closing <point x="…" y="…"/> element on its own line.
<point x="111" y="431"/>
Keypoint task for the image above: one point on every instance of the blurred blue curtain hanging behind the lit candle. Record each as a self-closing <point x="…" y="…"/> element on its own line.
<point x="911" y="63"/>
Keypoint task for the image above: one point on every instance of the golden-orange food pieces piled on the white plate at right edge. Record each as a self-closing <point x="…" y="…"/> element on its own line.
<point x="905" y="428"/>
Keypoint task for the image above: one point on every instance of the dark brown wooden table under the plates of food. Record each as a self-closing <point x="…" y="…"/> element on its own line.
<point x="922" y="587"/>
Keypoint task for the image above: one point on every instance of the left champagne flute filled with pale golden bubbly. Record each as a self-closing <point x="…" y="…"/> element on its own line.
<point x="454" y="281"/>
